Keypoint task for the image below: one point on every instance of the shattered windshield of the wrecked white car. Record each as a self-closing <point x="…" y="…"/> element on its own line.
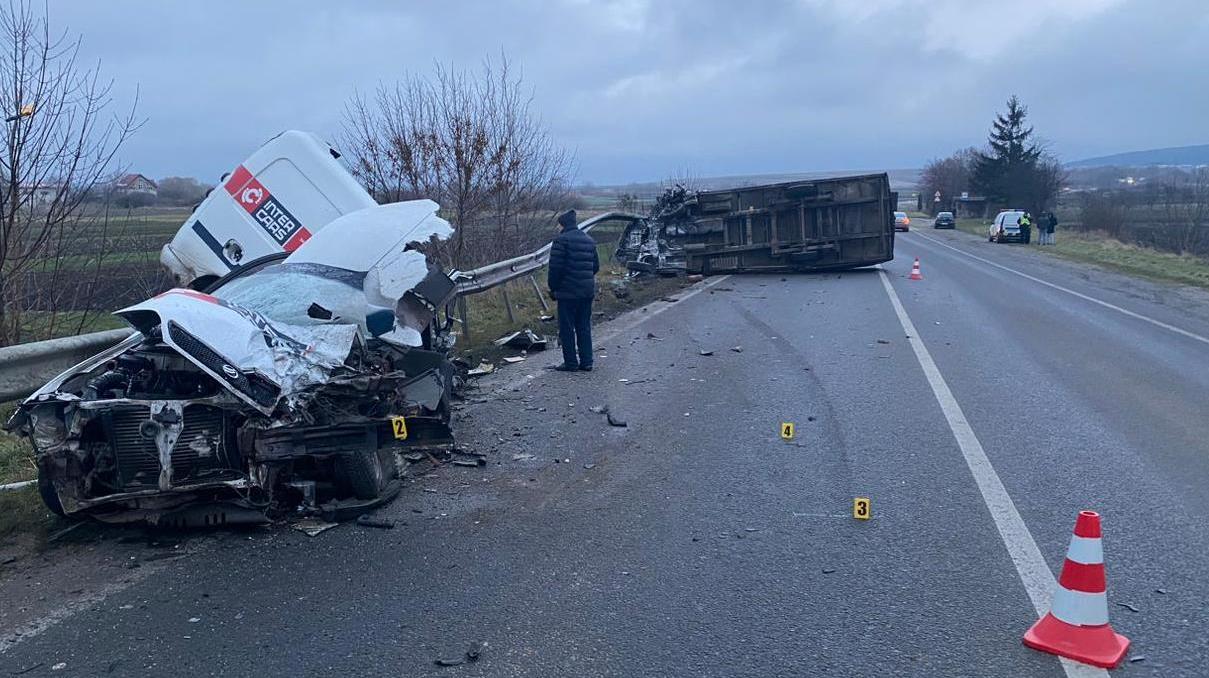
<point x="287" y="292"/>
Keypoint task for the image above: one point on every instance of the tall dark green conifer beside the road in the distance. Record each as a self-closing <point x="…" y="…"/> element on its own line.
<point x="1006" y="173"/>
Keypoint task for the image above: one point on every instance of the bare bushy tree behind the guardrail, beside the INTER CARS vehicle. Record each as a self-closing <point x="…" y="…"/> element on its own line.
<point x="471" y="142"/>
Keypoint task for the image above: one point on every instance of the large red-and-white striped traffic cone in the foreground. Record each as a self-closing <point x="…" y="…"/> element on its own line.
<point x="1078" y="623"/>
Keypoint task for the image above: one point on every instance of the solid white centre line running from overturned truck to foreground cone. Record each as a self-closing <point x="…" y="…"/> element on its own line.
<point x="1039" y="581"/>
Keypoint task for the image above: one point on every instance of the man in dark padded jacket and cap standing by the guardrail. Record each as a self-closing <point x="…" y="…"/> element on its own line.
<point x="574" y="266"/>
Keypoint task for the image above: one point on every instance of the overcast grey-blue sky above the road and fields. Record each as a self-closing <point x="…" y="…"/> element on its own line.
<point x="641" y="90"/>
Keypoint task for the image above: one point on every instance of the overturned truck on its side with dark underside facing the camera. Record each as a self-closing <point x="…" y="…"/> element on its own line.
<point x="811" y="225"/>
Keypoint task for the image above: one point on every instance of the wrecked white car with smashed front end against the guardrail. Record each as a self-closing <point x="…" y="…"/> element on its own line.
<point x="288" y="386"/>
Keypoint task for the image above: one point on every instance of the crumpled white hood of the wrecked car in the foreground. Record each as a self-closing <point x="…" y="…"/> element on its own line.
<point x="244" y="341"/>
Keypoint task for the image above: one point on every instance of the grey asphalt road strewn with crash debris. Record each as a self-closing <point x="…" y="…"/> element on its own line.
<point x="696" y="542"/>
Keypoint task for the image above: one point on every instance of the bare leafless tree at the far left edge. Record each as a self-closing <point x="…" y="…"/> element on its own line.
<point x="60" y="147"/>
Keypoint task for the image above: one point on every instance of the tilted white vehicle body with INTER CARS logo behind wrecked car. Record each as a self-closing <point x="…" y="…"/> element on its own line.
<point x="271" y="204"/>
